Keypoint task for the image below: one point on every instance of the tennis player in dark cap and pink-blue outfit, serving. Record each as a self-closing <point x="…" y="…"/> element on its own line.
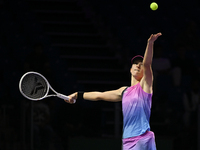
<point x="136" y="101"/>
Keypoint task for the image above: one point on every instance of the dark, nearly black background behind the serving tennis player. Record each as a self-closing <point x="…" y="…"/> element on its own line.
<point x="87" y="45"/>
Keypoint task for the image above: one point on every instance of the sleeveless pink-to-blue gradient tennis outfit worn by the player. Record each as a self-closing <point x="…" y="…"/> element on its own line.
<point x="136" y="105"/>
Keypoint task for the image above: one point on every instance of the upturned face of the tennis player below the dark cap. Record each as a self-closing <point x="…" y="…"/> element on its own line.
<point x="137" y="69"/>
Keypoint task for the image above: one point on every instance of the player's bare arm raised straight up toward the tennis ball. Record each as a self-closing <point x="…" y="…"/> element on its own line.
<point x="147" y="80"/>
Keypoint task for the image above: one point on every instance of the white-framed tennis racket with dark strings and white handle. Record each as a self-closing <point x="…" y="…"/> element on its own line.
<point x="35" y="86"/>
